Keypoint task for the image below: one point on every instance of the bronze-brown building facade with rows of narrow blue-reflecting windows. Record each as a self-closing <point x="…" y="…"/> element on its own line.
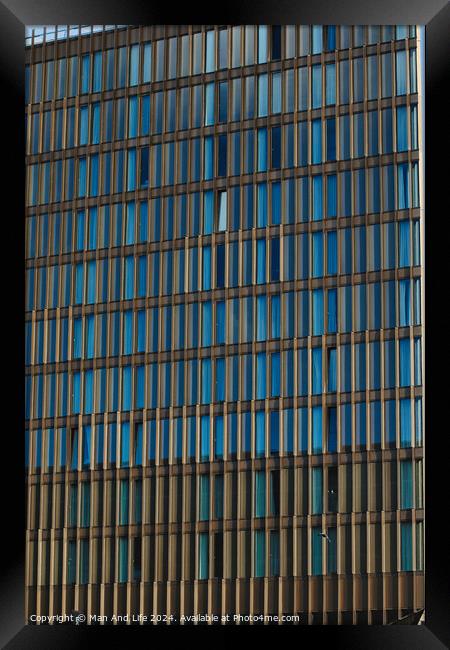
<point x="224" y="323"/>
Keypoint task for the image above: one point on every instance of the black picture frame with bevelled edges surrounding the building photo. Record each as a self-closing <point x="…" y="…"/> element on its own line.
<point x="435" y="15"/>
